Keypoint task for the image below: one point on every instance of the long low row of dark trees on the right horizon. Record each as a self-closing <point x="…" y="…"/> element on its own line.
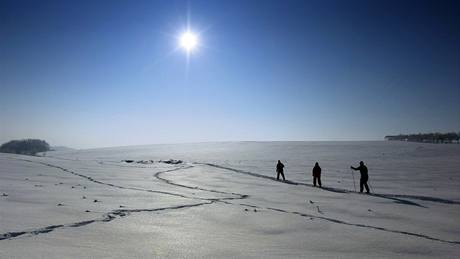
<point x="451" y="137"/>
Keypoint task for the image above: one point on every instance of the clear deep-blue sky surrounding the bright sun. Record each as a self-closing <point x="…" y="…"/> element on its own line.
<point x="109" y="73"/>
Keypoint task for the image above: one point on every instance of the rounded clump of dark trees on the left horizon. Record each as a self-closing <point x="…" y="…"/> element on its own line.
<point x="25" y="146"/>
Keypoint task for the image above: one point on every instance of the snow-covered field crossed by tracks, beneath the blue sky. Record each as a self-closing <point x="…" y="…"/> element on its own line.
<point x="223" y="201"/>
